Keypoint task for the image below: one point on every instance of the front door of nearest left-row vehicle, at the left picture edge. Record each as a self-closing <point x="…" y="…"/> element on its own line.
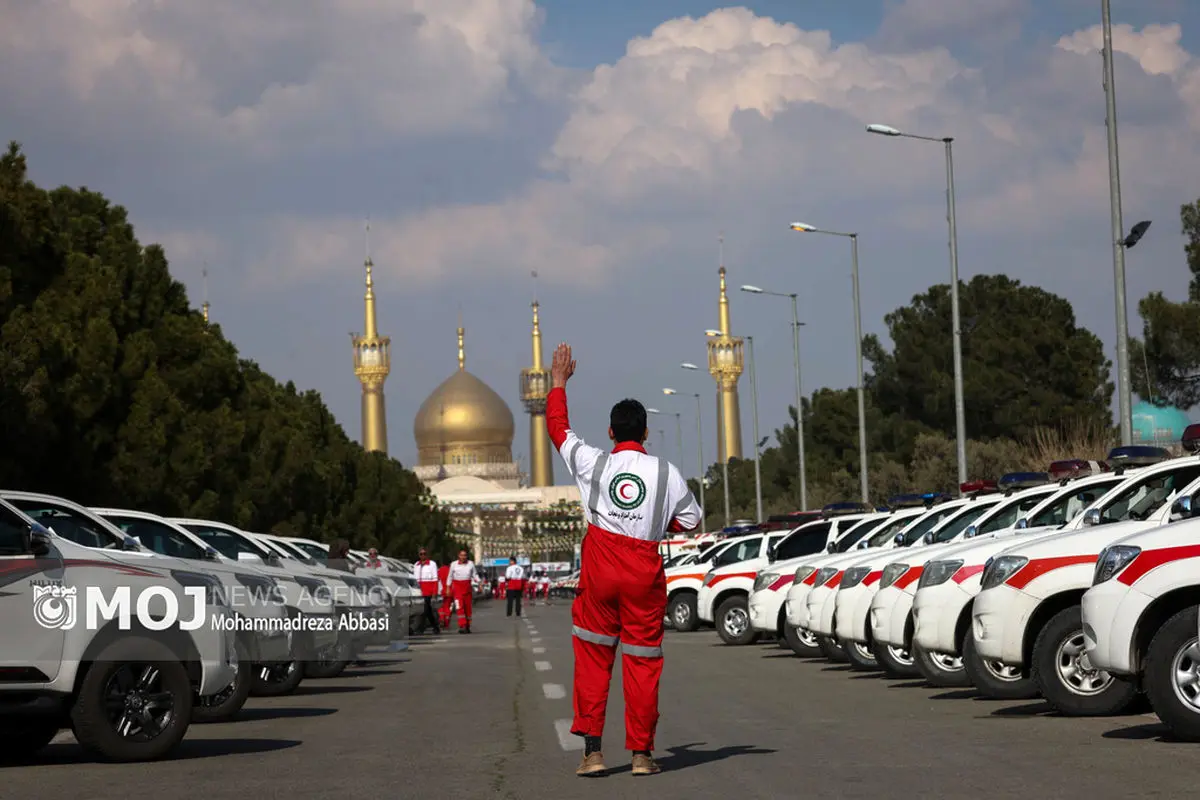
<point x="37" y="606"/>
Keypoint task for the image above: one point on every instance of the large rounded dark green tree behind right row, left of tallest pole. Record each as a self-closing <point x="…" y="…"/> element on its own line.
<point x="1025" y="364"/>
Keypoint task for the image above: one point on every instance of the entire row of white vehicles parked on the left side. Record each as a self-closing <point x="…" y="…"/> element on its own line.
<point x="125" y="628"/>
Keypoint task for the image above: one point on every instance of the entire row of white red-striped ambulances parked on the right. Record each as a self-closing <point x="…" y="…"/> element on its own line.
<point x="1079" y="586"/>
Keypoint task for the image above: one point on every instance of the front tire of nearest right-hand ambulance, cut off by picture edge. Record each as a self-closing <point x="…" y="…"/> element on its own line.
<point x="1175" y="649"/>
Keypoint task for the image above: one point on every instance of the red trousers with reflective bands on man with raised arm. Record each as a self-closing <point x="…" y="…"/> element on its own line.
<point x="622" y="599"/>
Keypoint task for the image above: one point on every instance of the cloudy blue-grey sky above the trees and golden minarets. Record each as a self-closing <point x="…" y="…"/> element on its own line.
<point x="607" y="147"/>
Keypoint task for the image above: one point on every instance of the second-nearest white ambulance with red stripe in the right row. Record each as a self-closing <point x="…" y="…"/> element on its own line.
<point x="1029" y="616"/>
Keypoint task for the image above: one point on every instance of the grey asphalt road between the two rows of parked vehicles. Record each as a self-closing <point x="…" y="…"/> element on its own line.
<point x="484" y="717"/>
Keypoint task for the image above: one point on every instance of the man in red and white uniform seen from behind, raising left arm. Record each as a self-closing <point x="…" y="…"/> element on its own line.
<point x="632" y="501"/>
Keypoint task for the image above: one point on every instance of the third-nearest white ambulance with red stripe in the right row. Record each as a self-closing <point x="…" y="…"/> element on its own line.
<point x="947" y="587"/>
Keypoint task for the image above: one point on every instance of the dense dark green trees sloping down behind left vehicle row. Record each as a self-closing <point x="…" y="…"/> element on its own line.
<point x="117" y="393"/>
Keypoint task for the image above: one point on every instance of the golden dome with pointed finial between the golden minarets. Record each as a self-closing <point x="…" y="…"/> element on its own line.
<point x="464" y="422"/>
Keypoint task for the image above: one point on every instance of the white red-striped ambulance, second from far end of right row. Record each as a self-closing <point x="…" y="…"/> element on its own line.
<point x="724" y="599"/>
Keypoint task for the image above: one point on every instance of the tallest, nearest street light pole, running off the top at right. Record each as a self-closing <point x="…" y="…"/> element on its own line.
<point x="1125" y="399"/>
